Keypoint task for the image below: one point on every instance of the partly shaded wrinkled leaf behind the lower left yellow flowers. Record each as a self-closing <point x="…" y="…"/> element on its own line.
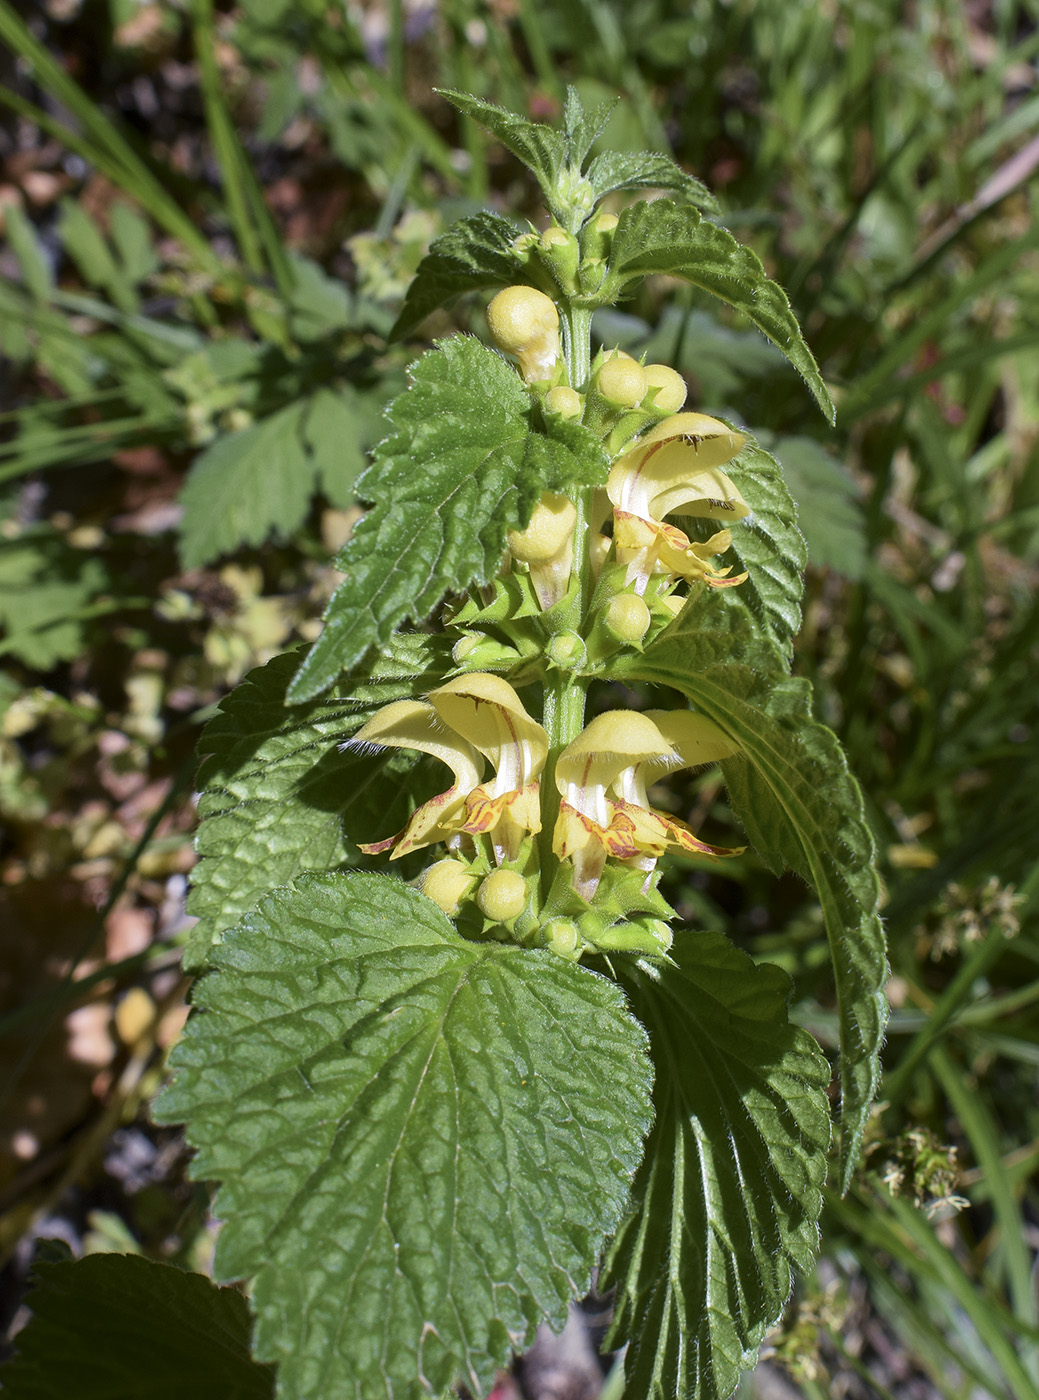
<point x="278" y="794"/>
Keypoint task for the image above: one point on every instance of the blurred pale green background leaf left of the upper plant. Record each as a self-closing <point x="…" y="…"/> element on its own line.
<point x="246" y="486"/>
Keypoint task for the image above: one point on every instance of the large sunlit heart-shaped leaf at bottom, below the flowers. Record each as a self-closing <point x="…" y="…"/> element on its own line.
<point x="422" y="1142"/>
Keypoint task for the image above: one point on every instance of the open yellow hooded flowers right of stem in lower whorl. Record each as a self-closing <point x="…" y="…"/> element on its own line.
<point x="603" y="779"/>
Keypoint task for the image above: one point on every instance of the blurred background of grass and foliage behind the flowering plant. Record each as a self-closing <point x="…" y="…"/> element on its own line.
<point x="211" y="215"/>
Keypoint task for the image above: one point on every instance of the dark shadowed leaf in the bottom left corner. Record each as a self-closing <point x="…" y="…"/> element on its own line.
<point x="114" y="1326"/>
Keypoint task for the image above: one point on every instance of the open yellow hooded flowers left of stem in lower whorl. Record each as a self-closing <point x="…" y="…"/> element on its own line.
<point x="466" y="722"/>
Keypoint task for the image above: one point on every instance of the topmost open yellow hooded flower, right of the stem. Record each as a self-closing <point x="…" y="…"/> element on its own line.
<point x="676" y="467"/>
